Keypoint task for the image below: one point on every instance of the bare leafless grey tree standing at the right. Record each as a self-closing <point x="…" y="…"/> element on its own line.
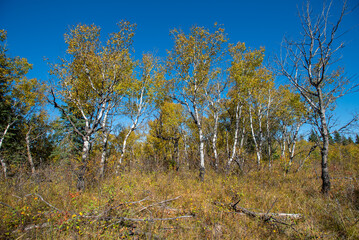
<point x="311" y="65"/>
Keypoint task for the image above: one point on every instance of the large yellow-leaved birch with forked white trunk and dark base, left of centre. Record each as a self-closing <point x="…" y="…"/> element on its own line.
<point x="90" y="80"/>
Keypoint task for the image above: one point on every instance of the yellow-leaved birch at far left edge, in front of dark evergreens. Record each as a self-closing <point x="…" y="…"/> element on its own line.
<point x="20" y="97"/>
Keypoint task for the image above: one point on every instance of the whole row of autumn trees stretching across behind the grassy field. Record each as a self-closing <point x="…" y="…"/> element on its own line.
<point x="209" y="104"/>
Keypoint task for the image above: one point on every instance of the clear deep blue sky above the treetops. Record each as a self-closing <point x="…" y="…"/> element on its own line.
<point x="36" y="28"/>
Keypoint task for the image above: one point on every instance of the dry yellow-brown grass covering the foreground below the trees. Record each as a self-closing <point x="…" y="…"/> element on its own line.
<point x="101" y="211"/>
